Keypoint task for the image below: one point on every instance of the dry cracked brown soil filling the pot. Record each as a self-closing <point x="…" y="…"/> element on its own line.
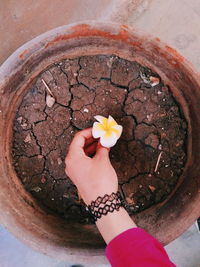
<point x="153" y="127"/>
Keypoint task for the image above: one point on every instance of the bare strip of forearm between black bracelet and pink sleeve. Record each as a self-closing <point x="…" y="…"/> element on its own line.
<point x="114" y="224"/>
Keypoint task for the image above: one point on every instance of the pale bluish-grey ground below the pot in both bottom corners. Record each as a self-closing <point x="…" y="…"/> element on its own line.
<point x="184" y="252"/>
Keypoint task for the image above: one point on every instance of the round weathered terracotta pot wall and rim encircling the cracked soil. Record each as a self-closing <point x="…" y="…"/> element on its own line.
<point x="19" y="211"/>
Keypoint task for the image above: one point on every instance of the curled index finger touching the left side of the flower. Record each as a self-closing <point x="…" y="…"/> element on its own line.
<point x="79" y="140"/>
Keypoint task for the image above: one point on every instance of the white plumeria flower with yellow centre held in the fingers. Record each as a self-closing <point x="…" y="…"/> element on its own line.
<point x="107" y="130"/>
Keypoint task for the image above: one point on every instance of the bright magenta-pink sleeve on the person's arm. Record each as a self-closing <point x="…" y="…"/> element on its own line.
<point x="137" y="248"/>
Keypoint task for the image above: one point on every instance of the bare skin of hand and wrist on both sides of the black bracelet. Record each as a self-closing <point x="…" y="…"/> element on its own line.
<point x="95" y="176"/>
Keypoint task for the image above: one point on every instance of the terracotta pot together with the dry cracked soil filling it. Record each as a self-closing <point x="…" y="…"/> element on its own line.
<point x="104" y="62"/>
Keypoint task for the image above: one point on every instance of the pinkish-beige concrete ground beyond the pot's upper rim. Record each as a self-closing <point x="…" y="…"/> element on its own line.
<point x="175" y="22"/>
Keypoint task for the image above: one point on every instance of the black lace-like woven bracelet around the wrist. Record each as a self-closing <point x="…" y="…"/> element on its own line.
<point x="103" y="205"/>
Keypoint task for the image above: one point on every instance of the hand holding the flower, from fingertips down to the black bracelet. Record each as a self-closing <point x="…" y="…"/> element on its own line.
<point x="93" y="176"/>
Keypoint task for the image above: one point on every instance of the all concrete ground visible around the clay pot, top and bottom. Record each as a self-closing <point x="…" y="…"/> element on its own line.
<point x="176" y="22"/>
